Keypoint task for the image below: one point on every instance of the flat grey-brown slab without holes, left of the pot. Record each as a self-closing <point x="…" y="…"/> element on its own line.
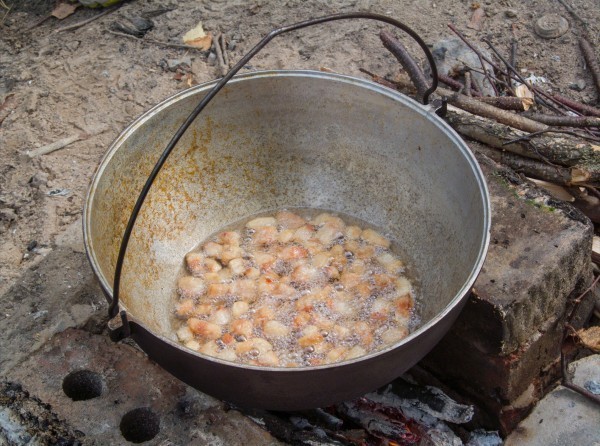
<point x="57" y="293"/>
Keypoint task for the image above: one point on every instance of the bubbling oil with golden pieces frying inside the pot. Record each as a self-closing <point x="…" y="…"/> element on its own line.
<point x="294" y="288"/>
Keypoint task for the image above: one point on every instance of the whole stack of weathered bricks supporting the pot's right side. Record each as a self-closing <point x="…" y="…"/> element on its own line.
<point x="504" y="349"/>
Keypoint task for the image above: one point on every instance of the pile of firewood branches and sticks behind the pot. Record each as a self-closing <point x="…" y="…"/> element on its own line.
<point x="549" y="138"/>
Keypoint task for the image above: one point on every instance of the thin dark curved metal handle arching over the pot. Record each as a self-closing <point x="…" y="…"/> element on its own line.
<point x="114" y="305"/>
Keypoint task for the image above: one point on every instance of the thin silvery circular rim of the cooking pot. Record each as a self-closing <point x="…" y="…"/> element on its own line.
<point x="426" y="111"/>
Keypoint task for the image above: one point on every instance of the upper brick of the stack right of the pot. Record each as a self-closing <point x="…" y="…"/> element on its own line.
<point x="539" y="250"/>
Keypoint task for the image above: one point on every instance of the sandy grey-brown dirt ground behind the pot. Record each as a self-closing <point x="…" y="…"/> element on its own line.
<point x="57" y="84"/>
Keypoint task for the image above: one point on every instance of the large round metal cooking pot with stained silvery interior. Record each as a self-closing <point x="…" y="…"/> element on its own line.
<point x="285" y="139"/>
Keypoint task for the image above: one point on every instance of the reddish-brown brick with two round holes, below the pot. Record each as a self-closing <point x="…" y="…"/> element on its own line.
<point x="129" y="380"/>
